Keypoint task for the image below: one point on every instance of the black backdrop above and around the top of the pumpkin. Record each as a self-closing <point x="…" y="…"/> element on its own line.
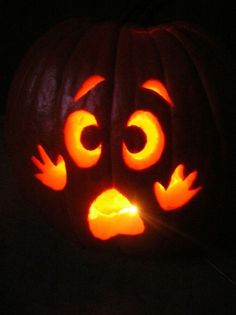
<point x="22" y="22"/>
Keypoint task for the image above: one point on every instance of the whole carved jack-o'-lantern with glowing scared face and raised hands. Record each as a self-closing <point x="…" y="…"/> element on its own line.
<point x="114" y="131"/>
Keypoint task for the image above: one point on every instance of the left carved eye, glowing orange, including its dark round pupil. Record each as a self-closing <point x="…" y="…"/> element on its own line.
<point x="82" y="140"/>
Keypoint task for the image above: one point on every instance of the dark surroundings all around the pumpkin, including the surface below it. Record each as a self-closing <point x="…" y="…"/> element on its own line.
<point x="40" y="271"/>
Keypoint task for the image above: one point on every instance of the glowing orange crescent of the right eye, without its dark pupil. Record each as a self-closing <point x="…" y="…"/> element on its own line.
<point x="154" y="146"/>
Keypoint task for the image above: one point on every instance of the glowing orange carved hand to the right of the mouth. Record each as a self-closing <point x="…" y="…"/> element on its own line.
<point x="178" y="192"/>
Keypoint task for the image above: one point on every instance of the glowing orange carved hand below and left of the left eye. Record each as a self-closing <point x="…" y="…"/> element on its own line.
<point x="52" y="175"/>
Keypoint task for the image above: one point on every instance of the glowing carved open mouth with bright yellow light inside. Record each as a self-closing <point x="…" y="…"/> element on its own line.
<point x="111" y="214"/>
